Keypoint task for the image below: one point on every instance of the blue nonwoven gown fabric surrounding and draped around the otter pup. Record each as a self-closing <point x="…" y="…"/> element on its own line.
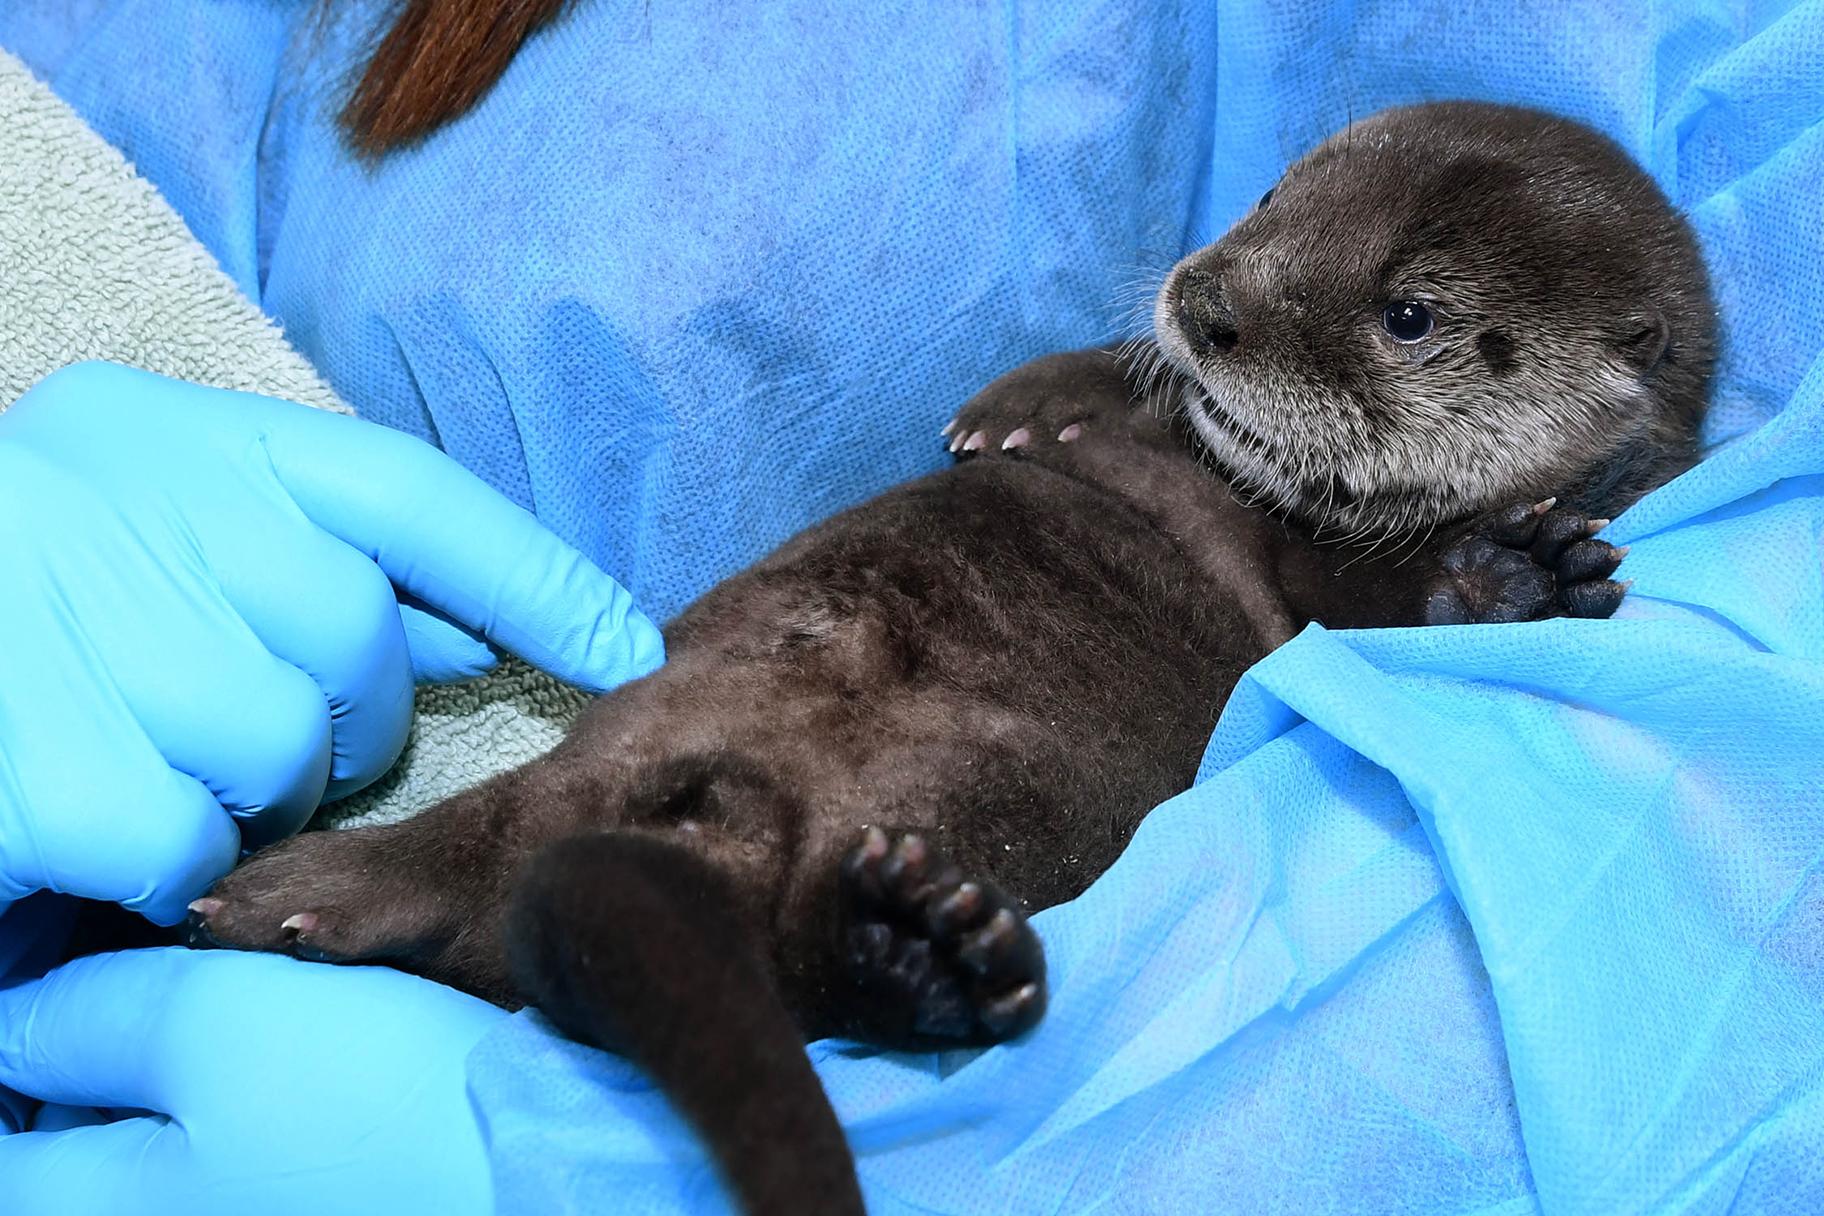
<point x="1482" y="920"/>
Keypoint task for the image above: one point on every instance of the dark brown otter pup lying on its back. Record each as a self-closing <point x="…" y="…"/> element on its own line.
<point x="1404" y="391"/>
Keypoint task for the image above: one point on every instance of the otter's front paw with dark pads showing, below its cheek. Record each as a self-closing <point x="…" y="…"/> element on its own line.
<point x="1528" y="562"/>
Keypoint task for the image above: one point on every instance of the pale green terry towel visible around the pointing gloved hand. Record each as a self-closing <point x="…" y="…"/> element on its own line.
<point x="94" y="265"/>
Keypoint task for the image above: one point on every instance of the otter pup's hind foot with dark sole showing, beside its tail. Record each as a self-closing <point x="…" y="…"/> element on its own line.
<point x="938" y="960"/>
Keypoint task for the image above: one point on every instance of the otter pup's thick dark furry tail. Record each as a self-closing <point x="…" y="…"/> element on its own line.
<point x="636" y="945"/>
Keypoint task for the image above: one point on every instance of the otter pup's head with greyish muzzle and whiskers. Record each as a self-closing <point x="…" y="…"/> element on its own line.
<point x="1444" y="311"/>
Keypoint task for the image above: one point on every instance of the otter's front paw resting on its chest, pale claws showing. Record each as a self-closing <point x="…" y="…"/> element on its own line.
<point x="1048" y="404"/>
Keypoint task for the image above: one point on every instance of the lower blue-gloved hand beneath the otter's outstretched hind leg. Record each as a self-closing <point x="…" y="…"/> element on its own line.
<point x="273" y="1087"/>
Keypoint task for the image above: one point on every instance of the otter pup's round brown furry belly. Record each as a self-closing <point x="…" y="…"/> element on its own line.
<point x="1011" y="659"/>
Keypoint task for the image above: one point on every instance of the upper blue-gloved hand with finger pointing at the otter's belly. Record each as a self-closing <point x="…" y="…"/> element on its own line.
<point x="202" y="634"/>
